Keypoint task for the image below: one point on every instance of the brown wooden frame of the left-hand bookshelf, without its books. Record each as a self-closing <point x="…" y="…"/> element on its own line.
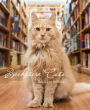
<point x="18" y="37"/>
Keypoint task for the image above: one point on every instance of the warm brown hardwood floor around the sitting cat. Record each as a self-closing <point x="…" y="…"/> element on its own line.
<point x="14" y="96"/>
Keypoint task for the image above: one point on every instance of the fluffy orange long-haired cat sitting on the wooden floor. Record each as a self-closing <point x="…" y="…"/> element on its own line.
<point x="51" y="73"/>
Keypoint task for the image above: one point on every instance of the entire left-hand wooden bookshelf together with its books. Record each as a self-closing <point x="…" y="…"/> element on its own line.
<point x="14" y="40"/>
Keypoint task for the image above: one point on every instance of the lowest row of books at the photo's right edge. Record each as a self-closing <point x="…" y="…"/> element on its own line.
<point x="86" y="60"/>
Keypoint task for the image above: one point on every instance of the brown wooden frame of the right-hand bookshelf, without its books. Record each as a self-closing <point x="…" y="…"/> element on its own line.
<point x="84" y="30"/>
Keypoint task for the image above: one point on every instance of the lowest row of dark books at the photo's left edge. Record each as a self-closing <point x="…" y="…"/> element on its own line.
<point x="3" y="60"/>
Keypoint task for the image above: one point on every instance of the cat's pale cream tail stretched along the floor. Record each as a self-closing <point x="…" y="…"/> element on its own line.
<point x="80" y="88"/>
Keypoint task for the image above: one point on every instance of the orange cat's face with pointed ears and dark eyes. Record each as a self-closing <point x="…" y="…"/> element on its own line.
<point x="43" y="30"/>
